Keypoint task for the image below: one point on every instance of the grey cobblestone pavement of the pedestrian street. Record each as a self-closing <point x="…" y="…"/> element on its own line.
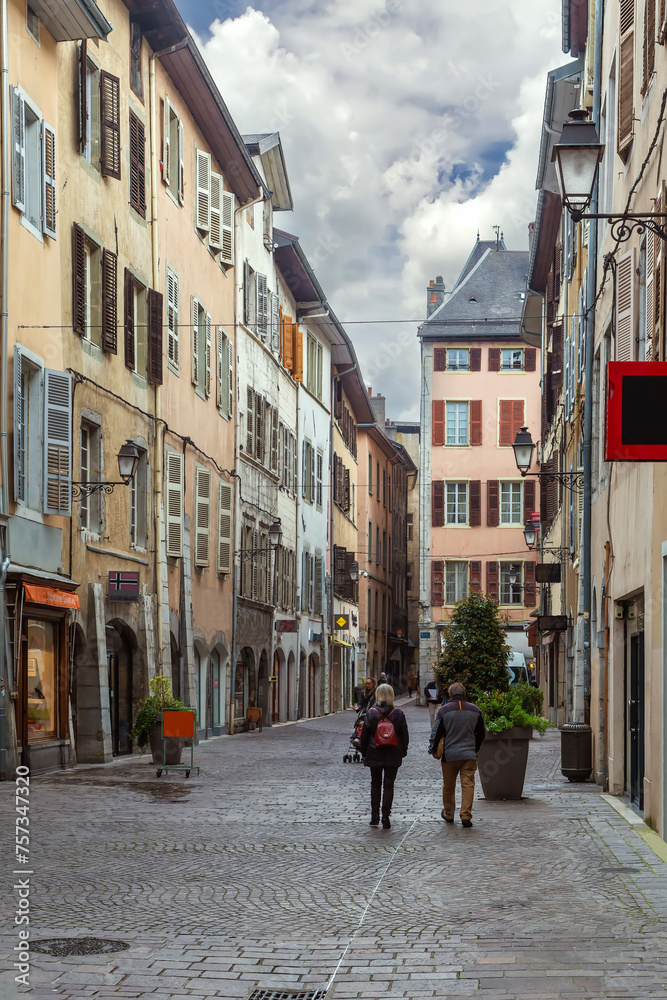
<point x="259" y="872"/>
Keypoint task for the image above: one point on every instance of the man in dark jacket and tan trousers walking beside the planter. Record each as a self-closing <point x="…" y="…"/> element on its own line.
<point x="460" y="725"/>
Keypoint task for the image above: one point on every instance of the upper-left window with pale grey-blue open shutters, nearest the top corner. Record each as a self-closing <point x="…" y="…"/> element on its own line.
<point x="33" y="166"/>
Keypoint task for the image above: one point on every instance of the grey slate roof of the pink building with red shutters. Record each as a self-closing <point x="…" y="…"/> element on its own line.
<point x="486" y="304"/>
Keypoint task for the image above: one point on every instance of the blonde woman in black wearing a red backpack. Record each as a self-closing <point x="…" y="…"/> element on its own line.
<point x="384" y="744"/>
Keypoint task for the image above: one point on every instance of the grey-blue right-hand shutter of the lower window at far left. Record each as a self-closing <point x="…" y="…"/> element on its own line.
<point x="57" y="443"/>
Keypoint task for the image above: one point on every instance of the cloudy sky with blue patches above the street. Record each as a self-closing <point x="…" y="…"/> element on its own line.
<point x="407" y="126"/>
